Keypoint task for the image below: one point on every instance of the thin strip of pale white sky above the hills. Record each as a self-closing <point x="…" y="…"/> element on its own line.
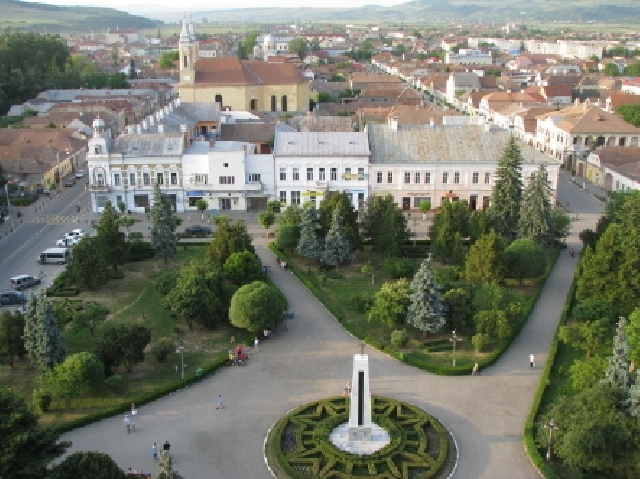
<point x="136" y="6"/>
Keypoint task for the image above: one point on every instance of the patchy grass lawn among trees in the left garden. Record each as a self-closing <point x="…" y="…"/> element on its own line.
<point x="132" y="299"/>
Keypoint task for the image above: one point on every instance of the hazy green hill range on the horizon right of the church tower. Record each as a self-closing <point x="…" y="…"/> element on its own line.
<point x="439" y="11"/>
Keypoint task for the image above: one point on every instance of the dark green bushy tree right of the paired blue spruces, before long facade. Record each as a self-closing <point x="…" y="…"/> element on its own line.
<point x="386" y="225"/>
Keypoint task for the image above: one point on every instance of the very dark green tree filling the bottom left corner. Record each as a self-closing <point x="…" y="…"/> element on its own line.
<point x="28" y="448"/>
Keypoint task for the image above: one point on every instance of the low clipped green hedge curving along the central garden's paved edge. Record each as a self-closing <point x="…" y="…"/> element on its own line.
<point x="412" y="358"/>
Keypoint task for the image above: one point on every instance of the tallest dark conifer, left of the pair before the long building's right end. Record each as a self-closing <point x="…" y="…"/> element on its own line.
<point x="506" y="198"/>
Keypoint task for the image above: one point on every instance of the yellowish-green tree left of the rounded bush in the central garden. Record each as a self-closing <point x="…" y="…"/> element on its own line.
<point x="484" y="261"/>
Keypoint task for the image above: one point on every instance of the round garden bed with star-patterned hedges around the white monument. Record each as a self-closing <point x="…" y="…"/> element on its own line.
<point x="298" y="445"/>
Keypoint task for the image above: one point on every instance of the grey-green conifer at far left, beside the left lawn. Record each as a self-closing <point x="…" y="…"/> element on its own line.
<point x="42" y="338"/>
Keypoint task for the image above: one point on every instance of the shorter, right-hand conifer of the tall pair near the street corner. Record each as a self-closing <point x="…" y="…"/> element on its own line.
<point x="536" y="220"/>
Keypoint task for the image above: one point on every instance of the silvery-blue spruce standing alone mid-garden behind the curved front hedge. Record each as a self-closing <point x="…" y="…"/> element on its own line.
<point x="427" y="311"/>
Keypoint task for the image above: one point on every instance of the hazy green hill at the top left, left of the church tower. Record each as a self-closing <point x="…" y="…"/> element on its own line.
<point x="43" y="18"/>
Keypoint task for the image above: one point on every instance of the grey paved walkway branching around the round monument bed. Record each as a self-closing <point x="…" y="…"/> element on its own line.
<point x="313" y="360"/>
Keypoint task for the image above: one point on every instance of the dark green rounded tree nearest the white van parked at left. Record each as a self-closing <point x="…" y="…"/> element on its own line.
<point x="88" y="267"/>
